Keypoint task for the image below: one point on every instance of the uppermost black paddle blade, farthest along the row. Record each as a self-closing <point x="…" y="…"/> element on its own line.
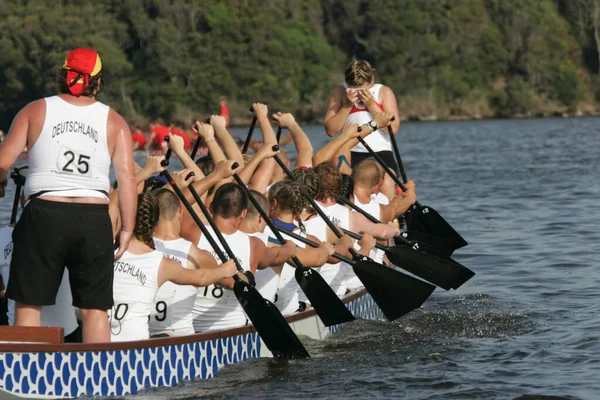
<point x="426" y="219"/>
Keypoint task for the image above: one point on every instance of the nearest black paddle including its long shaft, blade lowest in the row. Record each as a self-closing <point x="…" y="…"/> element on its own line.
<point x="266" y="318"/>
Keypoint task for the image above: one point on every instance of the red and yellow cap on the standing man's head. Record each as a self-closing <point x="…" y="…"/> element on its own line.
<point x="81" y="64"/>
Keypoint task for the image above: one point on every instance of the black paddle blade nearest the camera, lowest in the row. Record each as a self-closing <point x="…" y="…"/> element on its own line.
<point x="269" y="323"/>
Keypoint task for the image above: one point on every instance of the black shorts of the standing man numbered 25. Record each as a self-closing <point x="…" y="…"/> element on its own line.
<point x="53" y="235"/>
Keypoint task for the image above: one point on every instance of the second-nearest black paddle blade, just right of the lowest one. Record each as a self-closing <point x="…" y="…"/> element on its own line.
<point x="322" y="298"/>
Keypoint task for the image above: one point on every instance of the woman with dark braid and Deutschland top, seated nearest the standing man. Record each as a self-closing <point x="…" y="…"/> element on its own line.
<point x="142" y="270"/>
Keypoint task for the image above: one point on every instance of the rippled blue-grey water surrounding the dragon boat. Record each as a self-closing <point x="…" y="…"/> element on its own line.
<point x="524" y="195"/>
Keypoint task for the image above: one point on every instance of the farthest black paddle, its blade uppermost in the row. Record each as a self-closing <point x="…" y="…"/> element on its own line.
<point x="421" y="218"/>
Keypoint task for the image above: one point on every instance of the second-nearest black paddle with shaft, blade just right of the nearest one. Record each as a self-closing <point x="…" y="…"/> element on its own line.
<point x="323" y="299"/>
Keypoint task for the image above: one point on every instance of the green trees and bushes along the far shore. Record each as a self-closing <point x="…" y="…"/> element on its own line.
<point x="444" y="59"/>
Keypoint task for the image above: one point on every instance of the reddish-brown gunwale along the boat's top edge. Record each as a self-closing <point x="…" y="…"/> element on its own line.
<point x="156" y="342"/>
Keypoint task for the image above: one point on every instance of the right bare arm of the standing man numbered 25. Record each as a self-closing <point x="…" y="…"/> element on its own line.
<point x="122" y="159"/>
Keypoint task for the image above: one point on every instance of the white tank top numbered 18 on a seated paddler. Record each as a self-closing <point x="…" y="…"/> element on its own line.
<point x="215" y="307"/>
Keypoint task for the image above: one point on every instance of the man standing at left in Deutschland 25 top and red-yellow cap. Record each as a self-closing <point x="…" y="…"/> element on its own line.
<point x="72" y="139"/>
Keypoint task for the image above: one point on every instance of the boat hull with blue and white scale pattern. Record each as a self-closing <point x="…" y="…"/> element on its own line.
<point x="118" y="369"/>
